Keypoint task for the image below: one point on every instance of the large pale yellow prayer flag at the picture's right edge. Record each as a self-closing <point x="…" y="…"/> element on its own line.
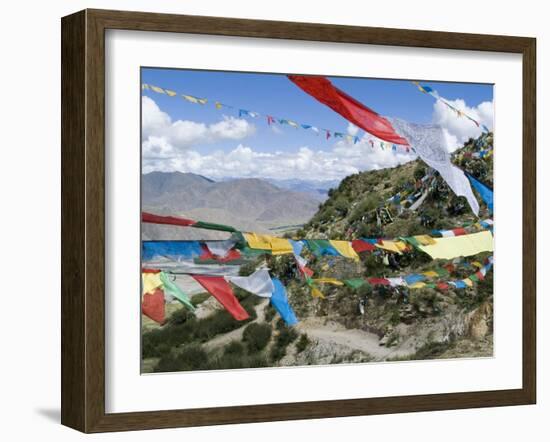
<point x="455" y="246"/>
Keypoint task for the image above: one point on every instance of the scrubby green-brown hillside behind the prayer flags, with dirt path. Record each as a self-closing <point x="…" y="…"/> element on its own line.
<point x="371" y="323"/>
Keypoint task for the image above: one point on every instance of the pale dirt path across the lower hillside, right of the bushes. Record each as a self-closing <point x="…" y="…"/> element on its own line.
<point x="354" y="339"/>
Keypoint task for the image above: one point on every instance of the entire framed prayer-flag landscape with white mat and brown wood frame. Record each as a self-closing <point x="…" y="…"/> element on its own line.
<point x="266" y="221"/>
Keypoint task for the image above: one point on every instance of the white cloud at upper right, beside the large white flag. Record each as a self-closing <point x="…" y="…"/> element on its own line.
<point x="458" y="129"/>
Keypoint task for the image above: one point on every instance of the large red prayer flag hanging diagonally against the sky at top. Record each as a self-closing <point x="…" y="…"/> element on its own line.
<point x="352" y="110"/>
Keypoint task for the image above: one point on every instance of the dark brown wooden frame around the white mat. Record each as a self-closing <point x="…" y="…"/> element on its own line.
<point x="83" y="216"/>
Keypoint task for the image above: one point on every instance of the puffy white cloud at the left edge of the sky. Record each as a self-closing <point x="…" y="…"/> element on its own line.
<point x="165" y="138"/>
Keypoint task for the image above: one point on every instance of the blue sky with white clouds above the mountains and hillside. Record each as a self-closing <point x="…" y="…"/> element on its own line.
<point x="274" y="94"/>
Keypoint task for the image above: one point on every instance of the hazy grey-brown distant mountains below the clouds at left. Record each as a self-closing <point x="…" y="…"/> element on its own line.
<point x="247" y="204"/>
